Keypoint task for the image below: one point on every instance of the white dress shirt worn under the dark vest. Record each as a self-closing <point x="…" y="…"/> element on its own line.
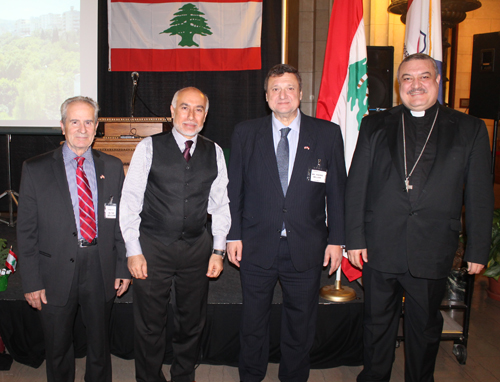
<point x="135" y="185"/>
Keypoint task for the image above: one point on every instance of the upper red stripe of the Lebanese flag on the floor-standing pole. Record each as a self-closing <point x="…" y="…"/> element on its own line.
<point x="344" y="22"/>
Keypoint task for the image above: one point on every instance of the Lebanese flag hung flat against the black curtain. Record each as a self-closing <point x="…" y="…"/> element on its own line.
<point x="166" y="35"/>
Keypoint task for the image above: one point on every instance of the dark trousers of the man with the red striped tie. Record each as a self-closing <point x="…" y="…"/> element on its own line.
<point x="87" y="292"/>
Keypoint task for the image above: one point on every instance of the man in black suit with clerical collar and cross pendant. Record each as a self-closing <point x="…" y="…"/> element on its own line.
<point x="413" y="168"/>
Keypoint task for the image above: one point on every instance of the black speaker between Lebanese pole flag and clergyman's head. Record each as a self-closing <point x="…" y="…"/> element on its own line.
<point x="380" y="68"/>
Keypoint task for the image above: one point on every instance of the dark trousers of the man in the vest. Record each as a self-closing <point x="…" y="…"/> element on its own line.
<point x="185" y="267"/>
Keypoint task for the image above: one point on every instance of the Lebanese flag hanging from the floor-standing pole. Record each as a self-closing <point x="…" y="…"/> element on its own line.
<point x="343" y="94"/>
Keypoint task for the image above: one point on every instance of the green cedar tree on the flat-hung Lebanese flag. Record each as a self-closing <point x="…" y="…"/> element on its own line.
<point x="186" y="23"/>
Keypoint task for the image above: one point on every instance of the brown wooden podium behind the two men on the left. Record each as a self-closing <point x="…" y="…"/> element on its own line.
<point x="120" y="136"/>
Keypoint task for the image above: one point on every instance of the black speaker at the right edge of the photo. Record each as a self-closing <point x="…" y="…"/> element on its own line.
<point x="485" y="76"/>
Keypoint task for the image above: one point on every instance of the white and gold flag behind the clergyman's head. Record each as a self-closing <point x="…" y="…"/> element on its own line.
<point x="423" y="33"/>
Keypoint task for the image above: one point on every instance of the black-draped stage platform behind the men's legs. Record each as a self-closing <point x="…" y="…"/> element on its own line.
<point x="338" y="338"/>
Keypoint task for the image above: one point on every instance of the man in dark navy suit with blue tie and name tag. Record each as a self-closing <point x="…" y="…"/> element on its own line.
<point x="286" y="189"/>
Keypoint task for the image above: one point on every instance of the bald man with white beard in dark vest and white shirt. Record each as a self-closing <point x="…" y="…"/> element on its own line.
<point x="173" y="181"/>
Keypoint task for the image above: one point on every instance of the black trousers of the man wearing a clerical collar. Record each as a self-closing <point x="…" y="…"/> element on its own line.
<point x="423" y="324"/>
